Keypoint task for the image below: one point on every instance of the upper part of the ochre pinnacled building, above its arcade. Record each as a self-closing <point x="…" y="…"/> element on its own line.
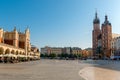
<point x="16" y="39"/>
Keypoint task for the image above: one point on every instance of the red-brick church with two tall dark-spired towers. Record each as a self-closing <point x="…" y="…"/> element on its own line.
<point x="101" y="37"/>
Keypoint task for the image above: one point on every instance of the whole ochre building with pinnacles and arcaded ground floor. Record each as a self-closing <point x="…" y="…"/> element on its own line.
<point x="15" y="44"/>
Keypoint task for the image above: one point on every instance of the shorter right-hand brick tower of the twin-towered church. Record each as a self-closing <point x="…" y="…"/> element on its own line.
<point x="106" y="37"/>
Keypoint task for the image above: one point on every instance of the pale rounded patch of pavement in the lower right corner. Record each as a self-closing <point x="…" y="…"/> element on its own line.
<point x="97" y="73"/>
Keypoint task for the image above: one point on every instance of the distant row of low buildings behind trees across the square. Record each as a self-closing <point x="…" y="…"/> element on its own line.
<point x="86" y="53"/>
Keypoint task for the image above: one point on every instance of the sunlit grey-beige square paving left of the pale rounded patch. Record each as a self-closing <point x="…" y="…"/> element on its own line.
<point x="42" y="70"/>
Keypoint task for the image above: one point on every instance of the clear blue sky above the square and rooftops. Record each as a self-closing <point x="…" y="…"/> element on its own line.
<point x="59" y="23"/>
